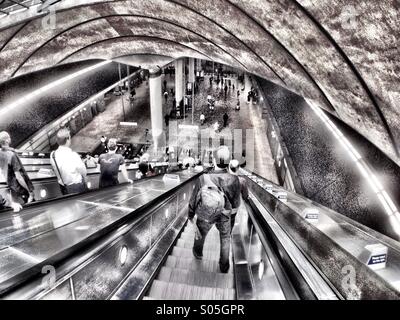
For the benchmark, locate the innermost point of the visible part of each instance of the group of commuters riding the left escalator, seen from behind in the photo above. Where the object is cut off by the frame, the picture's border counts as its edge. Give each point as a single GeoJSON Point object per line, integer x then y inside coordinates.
{"type": "Point", "coordinates": [68, 166]}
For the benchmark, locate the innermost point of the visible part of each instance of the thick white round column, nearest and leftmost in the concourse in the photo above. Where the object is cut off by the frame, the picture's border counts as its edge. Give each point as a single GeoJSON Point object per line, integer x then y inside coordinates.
{"type": "Point", "coordinates": [156, 108]}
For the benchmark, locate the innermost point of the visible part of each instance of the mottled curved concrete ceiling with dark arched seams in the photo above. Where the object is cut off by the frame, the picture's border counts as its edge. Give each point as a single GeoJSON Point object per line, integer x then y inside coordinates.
{"type": "Point", "coordinates": [342, 54]}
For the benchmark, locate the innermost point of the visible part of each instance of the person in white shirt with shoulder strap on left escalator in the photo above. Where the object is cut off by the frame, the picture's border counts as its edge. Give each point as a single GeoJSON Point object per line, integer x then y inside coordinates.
{"type": "Point", "coordinates": [68, 165]}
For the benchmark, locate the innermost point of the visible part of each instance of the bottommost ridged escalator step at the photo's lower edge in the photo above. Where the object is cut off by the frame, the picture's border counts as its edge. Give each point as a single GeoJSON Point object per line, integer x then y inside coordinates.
{"type": "Point", "coordinates": [172, 291]}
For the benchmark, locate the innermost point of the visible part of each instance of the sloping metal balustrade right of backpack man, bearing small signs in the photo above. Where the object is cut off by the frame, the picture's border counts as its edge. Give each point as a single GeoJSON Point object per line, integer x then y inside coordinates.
{"type": "Point", "coordinates": [340, 249]}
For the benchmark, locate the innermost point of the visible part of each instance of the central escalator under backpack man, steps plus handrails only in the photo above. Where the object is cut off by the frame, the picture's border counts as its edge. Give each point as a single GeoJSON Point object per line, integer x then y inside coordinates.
{"type": "Point", "coordinates": [256, 269]}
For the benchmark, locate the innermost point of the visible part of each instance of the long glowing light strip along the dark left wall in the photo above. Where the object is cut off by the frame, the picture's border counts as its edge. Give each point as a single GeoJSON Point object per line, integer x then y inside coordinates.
{"type": "Point", "coordinates": [34, 94]}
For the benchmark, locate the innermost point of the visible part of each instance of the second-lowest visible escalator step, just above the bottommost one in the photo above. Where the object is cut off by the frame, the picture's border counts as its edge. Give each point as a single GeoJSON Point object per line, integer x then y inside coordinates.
{"type": "Point", "coordinates": [198, 278]}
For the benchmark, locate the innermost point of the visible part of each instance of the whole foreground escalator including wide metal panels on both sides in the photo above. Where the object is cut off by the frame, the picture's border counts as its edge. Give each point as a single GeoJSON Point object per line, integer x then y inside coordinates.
{"type": "Point", "coordinates": [144, 251]}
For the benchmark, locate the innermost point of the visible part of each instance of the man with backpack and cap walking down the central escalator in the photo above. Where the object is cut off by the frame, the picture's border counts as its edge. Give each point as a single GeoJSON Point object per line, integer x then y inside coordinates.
{"type": "Point", "coordinates": [215, 198]}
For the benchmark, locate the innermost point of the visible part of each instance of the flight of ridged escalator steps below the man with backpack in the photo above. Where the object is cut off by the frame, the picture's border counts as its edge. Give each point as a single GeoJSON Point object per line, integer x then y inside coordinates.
{"type": "Point", "coordinates": [183, 277]}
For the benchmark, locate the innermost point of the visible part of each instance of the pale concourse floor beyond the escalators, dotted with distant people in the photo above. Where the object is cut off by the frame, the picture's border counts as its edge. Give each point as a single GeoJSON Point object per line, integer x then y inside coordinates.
{"type": "Point", "coordinates": [249, 116]}
